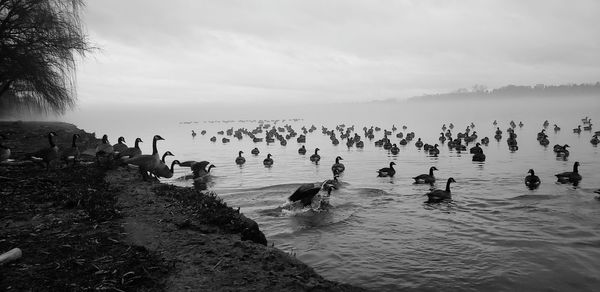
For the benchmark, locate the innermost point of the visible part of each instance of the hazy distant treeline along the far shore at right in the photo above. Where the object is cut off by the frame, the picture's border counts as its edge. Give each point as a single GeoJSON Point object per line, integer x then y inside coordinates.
{"type": "Point", "coordinates": [517, 91]}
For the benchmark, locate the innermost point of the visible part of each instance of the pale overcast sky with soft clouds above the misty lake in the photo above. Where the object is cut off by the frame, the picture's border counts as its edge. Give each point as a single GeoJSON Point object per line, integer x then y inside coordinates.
{"type": "Point", "coordinates": [310, 51]}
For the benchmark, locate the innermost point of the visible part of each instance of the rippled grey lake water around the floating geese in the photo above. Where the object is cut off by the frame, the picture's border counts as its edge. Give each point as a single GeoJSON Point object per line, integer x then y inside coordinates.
{"type": "Point", "coordinates": [378, 233]}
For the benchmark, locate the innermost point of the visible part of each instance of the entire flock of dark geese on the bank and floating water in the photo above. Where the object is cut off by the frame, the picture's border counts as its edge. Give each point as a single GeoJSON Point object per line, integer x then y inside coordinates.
{"type": "Point", "coordinates": [154, 165]}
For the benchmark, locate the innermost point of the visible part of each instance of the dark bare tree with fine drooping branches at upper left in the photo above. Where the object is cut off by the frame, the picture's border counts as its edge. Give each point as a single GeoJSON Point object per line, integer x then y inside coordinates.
{"type": "Point", "coordinates": [38, 43]}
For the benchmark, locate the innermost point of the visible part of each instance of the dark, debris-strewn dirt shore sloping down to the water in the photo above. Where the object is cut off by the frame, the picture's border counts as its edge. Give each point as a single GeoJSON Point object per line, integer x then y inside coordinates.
{"type": "Point", "coordinates": [85, 227]}
